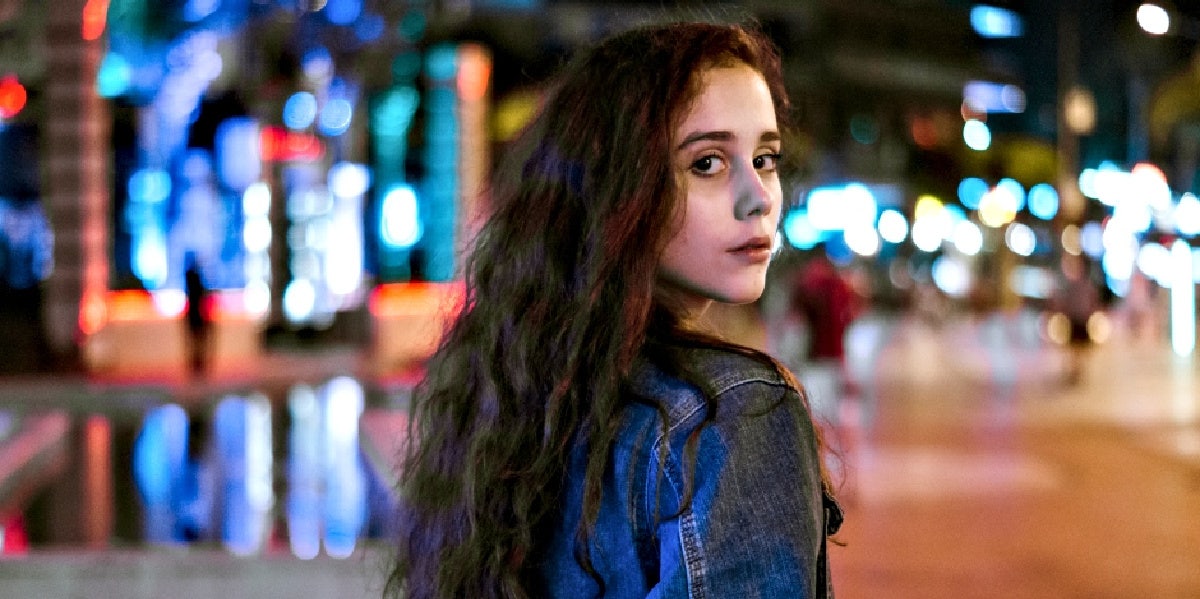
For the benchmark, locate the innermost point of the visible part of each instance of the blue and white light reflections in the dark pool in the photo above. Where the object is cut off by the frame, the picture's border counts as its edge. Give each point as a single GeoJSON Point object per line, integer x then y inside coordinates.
{"type": "Point", "coordinates": [221, 482]}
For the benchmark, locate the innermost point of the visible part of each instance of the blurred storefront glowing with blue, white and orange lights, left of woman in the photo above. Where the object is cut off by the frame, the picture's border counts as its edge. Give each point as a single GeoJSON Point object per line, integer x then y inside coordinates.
{"type": "Point", "coordinates": [304, 158]}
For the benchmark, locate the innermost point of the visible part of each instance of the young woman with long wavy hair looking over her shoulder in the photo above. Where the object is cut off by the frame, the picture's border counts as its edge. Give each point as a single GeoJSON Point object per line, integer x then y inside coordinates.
{"type": "Point", "coordinates": [579, 434]}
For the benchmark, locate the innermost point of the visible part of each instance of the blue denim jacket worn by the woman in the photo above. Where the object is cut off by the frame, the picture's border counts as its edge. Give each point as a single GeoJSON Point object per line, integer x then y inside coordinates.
{"type": "Point", "coordinates": [758, 519]}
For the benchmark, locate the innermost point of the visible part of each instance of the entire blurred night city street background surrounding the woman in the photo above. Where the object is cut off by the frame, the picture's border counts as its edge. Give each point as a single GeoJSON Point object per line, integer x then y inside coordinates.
{"type": "Point", "coordinates": [298, 183]}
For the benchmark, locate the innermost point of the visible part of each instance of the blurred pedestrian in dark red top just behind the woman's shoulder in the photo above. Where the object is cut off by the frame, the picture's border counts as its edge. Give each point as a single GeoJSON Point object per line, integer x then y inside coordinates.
{"type": "Point", "coordinates": [829, 304]}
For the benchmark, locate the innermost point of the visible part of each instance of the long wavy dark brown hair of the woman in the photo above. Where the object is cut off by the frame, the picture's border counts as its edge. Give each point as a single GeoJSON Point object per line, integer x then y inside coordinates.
{"type": "Point", "coordinates": [561, 299]}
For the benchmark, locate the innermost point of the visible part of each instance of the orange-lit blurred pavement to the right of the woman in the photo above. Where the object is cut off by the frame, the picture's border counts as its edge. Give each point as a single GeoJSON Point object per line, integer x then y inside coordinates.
{"type": "Point", "coordinates": [974, 470]}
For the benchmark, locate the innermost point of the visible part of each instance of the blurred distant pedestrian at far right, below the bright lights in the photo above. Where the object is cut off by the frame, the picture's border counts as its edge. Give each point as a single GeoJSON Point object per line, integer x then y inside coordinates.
{"type": "Point", "coordinates": [1079, 301]}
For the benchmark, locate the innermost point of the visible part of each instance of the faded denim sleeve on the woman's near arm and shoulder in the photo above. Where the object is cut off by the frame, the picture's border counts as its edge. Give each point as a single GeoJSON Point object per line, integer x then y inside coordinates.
{"type": "Point", "coordinates": [742, 511]}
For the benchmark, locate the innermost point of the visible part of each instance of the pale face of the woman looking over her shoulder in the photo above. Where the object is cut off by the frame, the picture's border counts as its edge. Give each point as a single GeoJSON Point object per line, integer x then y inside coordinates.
{"type": "Point", "coordinates": [727, 151]}
